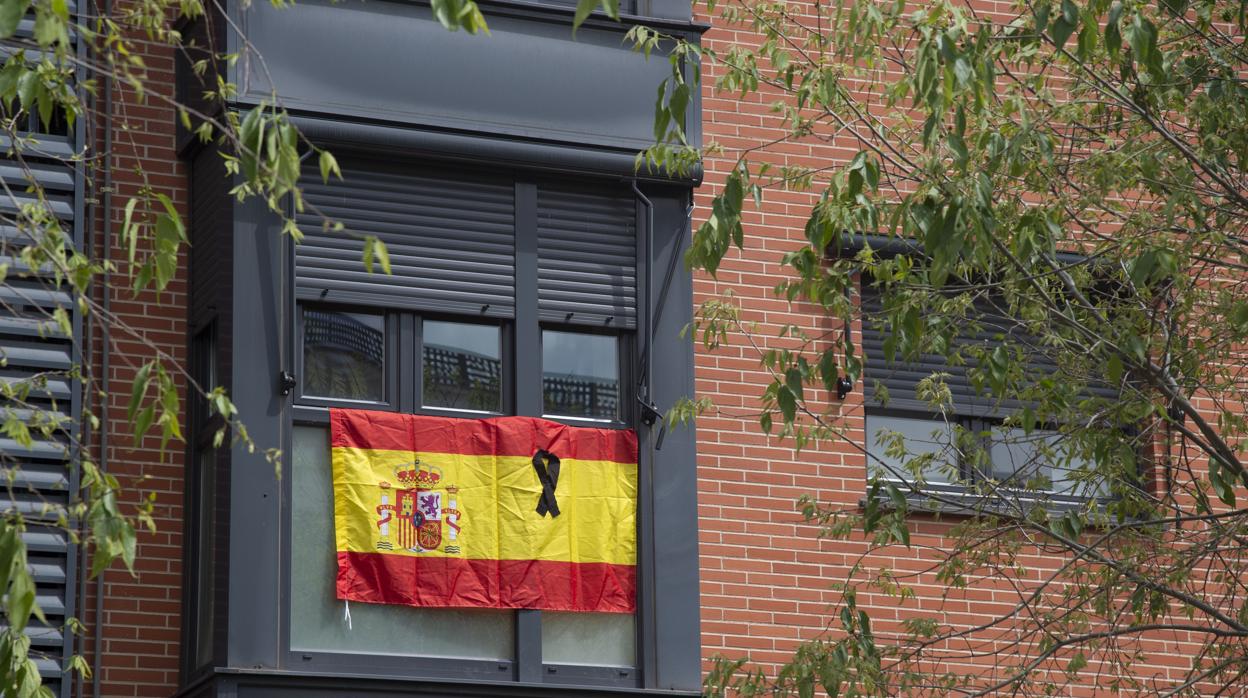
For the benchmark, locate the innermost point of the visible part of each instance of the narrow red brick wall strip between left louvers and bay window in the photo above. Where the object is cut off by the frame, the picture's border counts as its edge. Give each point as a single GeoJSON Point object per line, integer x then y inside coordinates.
{"type": "Point", "coordinates": [142, 620]}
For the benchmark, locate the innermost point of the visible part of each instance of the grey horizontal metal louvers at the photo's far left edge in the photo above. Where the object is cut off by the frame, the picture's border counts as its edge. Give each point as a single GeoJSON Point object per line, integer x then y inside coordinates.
{"type": "Point", "coordinates": [39, 355]}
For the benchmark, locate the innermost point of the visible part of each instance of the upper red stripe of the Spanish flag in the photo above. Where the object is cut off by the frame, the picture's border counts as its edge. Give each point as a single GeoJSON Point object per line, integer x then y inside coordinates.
{"type": "Point", "coordinates": [497, 436]}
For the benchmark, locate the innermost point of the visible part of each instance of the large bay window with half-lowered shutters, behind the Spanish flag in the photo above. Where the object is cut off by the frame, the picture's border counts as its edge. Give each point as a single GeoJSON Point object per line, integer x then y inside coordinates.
{"type": "Point", "coordinates": [471, 327]}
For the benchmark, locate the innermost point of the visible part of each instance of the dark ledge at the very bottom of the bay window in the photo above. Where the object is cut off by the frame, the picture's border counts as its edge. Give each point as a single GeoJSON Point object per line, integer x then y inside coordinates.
{"type": "Point", "coordinates": [251, 684]}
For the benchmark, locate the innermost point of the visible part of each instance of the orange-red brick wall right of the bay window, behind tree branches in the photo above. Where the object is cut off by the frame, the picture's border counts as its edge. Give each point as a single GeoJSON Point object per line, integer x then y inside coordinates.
{"type": "Point", "coordinates": [767, 578]}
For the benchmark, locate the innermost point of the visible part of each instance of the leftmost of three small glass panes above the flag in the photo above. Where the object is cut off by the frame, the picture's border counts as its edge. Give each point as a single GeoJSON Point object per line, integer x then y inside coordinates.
{"type": "Point", "coordinates": [344, 355]}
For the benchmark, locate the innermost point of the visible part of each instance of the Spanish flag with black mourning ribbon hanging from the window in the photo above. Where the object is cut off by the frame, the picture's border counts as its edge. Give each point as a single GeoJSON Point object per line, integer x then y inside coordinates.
{"type": "Point", "coordinates": [511, 513]}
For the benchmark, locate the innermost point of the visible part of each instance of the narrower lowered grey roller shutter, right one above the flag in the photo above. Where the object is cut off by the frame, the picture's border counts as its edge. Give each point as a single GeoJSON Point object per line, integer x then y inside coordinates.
{"type": "Point", "coordinates": [587, 257]}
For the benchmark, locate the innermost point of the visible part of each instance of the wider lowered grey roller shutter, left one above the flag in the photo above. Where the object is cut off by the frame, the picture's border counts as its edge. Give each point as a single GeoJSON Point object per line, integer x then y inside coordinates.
{"type": "Point", "coordinates": [450, 237]}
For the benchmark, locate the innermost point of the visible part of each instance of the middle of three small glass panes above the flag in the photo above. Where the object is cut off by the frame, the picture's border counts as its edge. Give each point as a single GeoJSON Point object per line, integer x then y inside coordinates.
{"type": "Point", "coordinates": [464, 366]}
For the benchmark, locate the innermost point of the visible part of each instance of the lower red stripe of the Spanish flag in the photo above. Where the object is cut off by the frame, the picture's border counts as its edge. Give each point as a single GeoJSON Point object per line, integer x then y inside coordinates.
{"type": "Point", "coordinates": [487, 584]}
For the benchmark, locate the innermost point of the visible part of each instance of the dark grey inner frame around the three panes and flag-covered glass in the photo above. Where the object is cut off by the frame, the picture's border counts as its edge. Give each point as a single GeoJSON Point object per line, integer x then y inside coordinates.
{"type": "Point", "coordinates": [521, 361]}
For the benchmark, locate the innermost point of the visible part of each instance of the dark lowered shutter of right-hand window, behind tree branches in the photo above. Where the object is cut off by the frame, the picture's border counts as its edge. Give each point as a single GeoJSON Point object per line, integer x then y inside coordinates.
{"type": "Point", "coordinates": [899, 379]}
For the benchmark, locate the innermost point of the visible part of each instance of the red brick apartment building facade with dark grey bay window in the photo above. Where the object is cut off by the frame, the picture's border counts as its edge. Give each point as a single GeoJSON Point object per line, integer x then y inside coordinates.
{"type": "Point", "coordinates": [536, 273]}
